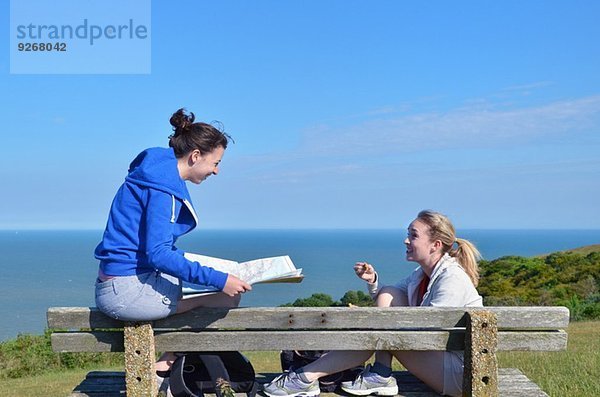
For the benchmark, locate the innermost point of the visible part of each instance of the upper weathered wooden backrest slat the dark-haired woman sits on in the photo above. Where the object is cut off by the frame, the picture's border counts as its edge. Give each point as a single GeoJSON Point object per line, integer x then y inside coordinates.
{"type": "Point", "coordinates": [319, 318]}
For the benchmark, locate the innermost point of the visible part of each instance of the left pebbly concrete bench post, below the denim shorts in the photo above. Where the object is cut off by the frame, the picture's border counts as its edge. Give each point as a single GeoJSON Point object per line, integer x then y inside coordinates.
{"type": "Point", "coordinates": [140, 376]}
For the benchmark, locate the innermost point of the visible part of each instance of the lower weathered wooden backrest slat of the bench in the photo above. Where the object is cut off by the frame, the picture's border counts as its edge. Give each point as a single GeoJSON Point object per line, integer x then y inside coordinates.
{"type": "Point", "coordinates": [308, 340]}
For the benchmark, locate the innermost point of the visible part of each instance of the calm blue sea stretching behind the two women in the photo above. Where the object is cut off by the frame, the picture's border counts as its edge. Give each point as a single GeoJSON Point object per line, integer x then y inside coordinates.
{"type": "Point", "coordinates": [44, 268]}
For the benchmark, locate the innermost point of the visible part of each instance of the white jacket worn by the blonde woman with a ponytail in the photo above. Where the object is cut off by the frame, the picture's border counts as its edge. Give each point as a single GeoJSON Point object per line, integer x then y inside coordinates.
{"type": "Point", "coordinates": [449, 286]}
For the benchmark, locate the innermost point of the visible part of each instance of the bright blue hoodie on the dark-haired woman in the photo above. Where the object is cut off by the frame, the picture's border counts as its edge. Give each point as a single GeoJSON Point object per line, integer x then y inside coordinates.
{"type": "Point", "coordinates": [149, 212]}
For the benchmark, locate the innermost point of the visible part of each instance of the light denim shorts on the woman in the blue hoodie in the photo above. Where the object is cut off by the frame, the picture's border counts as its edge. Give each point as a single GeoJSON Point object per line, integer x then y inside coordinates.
{"type": "Point", "coordinates": [141, 297]}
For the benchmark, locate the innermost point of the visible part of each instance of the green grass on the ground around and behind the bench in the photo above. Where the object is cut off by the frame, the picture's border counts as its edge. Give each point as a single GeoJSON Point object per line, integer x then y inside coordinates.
{"type": "Point", "coordinates": [575, 372]}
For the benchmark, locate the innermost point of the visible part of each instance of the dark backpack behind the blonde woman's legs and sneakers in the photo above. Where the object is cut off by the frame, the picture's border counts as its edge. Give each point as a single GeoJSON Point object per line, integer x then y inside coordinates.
{"type": "Point", "coordinates": [294, 359]}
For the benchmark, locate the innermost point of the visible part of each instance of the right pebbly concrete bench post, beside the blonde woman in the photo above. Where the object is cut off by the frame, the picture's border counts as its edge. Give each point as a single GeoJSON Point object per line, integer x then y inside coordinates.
{"type": "Point", "coordinates": [481, 366]}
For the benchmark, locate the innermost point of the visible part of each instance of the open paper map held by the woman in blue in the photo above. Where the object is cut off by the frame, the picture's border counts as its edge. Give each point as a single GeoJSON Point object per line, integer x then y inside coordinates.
{"type": "Point", "coordinates": [279, 269]}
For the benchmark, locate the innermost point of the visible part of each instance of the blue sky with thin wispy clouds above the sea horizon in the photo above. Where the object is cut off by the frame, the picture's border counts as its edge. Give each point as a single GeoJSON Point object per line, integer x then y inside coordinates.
{"type": "Point", "coordinates": [345, 114]}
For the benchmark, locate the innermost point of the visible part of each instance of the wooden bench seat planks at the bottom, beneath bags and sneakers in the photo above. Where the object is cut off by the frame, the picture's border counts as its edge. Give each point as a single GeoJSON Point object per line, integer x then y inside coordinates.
{"type": "Point", "coordinates": [512, 383]}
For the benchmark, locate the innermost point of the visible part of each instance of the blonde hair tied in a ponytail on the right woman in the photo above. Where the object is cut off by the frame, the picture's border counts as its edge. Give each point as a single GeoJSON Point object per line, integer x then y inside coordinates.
{"type": "Point", "coordinates": [440, 228]}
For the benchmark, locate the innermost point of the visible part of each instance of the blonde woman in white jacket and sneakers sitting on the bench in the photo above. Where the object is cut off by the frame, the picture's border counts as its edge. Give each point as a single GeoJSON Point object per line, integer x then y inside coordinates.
{"type": "Point", "coordinates": [447, 276]}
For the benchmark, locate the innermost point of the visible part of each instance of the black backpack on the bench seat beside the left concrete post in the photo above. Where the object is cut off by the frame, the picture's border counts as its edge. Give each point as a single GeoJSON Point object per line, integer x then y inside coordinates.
{"type": "Point", "coordinates": [194, 374]}
